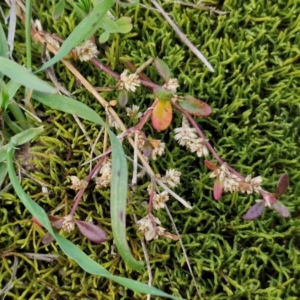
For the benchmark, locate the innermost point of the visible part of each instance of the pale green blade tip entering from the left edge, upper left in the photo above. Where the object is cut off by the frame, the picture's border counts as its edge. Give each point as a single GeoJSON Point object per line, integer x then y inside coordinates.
{"type": "Point", "coordinates": [22, 76]}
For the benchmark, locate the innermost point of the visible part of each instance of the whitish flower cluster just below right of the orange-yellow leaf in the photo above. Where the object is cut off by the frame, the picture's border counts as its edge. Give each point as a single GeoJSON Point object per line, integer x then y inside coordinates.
{"type": "Point", "coordinates": [186, 136]}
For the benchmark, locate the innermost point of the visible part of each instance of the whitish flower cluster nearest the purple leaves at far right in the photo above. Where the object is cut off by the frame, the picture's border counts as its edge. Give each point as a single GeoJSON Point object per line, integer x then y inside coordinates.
{"type": "Point", "coordinates": [232, 183]}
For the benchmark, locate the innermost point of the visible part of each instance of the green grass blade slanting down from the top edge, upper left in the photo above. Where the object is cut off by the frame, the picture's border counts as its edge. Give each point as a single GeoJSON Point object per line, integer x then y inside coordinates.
{"type": "Point", "coordinates": [83, 31]}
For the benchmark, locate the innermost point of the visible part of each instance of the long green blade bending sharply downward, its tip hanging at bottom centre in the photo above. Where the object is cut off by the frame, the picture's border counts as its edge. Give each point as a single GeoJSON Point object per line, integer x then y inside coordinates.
{"type": "Point", "coordinates": [119, 168]}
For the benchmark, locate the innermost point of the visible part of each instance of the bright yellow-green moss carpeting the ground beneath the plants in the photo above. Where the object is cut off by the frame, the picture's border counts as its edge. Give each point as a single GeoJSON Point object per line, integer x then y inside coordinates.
{"type": "Point", "coordinates": [254, 127]}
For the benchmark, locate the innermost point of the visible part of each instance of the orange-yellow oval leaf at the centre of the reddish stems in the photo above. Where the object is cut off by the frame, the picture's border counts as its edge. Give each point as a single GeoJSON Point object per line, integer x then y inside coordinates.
{"type": "Point", "coordinates": [162, 115]}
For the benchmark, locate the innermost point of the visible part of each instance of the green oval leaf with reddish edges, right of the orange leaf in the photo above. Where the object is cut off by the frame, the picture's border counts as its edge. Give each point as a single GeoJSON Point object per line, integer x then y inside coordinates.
{"type": "Point", "coordinates": [195, 106]}
